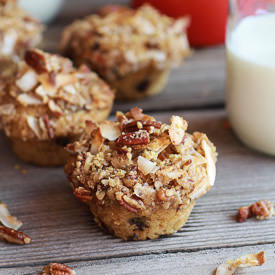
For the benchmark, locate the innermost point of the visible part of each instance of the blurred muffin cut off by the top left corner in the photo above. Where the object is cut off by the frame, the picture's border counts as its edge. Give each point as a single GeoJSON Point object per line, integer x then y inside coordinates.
{"type": "Point", "coordinates": [19, 32]}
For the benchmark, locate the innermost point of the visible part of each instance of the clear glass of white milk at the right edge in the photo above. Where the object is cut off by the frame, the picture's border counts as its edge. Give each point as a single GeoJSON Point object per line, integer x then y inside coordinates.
{"type": "Point", "coordinates": [250, 51]}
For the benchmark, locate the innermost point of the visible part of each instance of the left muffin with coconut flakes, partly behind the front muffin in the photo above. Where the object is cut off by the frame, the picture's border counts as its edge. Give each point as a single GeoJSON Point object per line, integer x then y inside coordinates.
{"type": "Point", "coordinates": [46, 105]}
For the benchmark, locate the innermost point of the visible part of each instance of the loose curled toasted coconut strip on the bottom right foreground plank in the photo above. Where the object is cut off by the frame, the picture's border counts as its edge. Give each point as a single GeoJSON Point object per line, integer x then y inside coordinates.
{"type": "Point", "coordinates": [230, 266]}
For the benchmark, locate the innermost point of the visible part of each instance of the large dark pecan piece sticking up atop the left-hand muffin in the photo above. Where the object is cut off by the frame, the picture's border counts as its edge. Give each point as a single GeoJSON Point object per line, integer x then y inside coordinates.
{"type": "Point", "coordinates": [36, 60]}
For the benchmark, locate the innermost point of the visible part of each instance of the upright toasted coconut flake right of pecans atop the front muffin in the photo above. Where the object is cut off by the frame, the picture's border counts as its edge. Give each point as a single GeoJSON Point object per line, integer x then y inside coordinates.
{"type": "Point", "coordinates": [177, 129]}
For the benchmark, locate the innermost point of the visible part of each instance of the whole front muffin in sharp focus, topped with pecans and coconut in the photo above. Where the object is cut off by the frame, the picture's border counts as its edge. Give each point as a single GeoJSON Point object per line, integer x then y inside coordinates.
{"type": "Point", "coordinates": [140, 177]}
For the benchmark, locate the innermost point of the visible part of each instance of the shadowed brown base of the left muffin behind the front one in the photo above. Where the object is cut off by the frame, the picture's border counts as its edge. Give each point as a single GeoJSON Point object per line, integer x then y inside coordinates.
{"type": "Point", "coordinates": [42, 153]}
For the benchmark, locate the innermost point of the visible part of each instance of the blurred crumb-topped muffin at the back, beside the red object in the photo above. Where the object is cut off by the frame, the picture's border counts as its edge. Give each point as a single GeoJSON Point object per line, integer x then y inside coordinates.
{"type": "Point", "coordinates": [133, 50]}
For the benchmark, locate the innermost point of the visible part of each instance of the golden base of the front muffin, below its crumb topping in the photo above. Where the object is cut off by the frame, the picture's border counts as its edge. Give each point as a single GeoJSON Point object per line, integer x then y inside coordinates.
{"type": "Point", "coordinates": [127, 225]}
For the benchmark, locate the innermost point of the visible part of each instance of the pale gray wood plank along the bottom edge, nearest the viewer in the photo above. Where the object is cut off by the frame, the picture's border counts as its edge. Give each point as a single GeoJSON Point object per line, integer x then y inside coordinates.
{"type": "Point", "coordinates": [196, 263]}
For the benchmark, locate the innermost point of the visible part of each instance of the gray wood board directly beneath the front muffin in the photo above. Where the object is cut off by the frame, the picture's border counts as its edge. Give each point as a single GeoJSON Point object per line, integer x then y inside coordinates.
{"type": "Point", "coordinates": [62, 228]}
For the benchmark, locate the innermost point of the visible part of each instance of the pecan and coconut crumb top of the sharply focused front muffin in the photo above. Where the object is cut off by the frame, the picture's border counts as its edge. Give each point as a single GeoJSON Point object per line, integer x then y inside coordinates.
{"type": "Point", "coordinates": [141, 163]}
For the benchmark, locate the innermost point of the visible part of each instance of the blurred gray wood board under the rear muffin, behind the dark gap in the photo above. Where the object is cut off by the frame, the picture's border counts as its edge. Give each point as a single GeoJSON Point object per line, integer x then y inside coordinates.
{"type": "Point", "coordinates": [198, 83]}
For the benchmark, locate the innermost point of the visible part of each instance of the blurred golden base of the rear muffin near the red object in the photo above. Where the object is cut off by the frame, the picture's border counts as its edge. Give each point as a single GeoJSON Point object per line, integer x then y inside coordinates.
{"type": "Point", "coordinates": [145, 82]}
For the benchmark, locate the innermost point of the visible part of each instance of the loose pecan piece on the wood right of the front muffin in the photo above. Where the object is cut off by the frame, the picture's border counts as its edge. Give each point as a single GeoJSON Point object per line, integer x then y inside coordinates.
{"type": "Point", "coordinates": [261, 210]}
